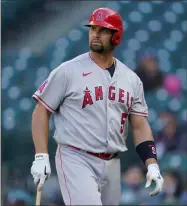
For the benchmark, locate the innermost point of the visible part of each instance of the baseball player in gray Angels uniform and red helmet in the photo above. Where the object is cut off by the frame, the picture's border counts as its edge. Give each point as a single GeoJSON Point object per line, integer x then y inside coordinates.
{"type": "Point", "coordinates": [93, 98]}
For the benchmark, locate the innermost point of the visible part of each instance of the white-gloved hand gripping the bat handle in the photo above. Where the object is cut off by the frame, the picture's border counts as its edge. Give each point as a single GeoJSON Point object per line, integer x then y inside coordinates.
{"type": "Point", "coordinates": [40, 169]}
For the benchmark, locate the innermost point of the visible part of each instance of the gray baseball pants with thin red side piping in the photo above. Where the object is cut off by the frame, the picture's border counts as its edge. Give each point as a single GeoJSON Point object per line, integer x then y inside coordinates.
{"type": "Point", "coordinates": [87, 180]}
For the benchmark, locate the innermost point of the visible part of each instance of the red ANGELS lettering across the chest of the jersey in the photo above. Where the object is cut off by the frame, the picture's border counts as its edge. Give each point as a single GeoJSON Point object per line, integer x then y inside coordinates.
{"type": "Point", "coordinates": [120, 96]}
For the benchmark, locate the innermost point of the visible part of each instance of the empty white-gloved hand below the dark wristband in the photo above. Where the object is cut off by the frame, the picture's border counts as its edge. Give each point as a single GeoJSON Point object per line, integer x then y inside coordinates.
{"type": "Point", "coordinates": [153, 174]}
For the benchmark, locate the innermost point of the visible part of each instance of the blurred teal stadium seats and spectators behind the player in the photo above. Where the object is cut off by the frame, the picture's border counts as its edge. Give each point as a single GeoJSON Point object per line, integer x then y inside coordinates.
{"type": "Point", "coordinates": [37, 36]}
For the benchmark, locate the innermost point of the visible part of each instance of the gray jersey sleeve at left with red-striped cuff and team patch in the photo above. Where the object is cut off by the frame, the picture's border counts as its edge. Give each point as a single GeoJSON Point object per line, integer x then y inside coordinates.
{"type": "Point", "coordinates": [53, 90]}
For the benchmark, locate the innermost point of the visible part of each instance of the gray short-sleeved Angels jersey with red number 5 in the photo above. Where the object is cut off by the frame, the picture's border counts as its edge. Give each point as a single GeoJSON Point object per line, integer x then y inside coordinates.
{"type": "Point", "coordinates": [90, 107]}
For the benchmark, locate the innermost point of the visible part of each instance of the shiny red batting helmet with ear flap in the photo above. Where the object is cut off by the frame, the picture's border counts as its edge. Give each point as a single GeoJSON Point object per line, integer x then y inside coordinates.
{"type": "Point", "coordinates": [110, 19]}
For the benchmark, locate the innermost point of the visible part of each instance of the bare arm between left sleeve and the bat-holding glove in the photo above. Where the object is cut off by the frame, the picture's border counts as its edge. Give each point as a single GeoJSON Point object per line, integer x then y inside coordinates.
{"type": "Point", "coordinates": [40, 129]}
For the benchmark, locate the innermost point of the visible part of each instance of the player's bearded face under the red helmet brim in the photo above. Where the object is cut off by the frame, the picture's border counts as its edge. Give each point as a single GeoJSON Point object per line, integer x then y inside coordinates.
{"type": "Point", "coordinates": [100, 39]}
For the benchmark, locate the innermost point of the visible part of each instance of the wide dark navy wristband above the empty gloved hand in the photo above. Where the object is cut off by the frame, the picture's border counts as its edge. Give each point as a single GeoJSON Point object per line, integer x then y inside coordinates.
{"type": "Point", "coordinates": [146, 150]}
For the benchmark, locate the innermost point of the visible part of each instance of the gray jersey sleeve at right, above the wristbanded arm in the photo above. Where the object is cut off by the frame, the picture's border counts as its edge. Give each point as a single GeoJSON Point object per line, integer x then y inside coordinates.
{"type": "Point", "coordinates": [139, 106]}
